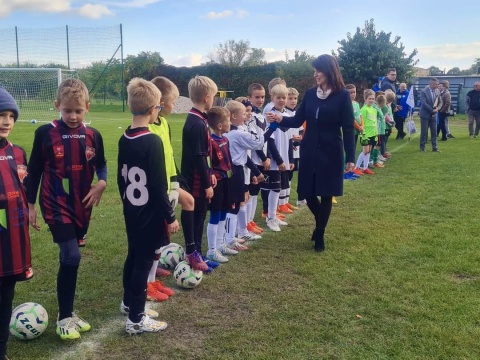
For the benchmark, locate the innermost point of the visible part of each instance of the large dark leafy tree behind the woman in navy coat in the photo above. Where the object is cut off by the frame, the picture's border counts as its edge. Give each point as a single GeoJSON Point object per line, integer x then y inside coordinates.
{"type": "Point", "coordinates": [367, 54]}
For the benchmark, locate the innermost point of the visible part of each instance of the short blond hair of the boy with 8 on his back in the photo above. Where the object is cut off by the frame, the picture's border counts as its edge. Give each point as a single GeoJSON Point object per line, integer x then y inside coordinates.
{"type": "Point", "coordinates": [142, 95]}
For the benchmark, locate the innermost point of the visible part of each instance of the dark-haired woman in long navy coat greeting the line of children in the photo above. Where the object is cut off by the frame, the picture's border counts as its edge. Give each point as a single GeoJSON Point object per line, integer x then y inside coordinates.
{"type": "Point", "coordinates": [329, 134]}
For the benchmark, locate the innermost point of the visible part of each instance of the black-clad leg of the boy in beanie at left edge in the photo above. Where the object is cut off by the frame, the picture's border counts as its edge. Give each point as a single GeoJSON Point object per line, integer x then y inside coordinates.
{"type": "Point", "coordinates": [7, 290]}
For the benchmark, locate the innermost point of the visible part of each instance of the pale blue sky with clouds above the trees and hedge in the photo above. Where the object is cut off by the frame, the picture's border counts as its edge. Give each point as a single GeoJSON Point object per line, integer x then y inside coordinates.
{"type": "Point", "coordinates": [185, 32]}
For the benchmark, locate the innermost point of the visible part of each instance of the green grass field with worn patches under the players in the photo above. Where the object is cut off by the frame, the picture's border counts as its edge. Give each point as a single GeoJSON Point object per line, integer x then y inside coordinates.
{"type": "Point", "coordinates": [399, 278]}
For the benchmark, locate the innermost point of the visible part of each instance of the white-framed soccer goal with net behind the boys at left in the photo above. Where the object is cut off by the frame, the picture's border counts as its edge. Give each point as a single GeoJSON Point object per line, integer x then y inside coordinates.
{"type": "Point", "coordinates": [35, 90]}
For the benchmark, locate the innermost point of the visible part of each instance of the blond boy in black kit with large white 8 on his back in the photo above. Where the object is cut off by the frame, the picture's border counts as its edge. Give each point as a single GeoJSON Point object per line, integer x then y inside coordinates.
{"type": "Point", "coordinates": [142, 183]}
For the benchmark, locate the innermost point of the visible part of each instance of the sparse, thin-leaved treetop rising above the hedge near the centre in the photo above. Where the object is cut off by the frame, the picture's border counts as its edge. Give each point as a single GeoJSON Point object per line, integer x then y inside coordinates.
{"type": "Point", "coordinates": [237, 53]}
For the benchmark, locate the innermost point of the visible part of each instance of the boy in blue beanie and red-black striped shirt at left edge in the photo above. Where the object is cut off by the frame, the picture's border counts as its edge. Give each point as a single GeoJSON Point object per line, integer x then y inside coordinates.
{"type": "Point", "coordinates": [15, 258]}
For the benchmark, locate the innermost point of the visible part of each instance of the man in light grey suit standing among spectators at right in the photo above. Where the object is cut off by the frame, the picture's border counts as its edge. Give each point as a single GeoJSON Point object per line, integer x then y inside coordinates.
{"type": "Point", "coordinates": [431, 102]}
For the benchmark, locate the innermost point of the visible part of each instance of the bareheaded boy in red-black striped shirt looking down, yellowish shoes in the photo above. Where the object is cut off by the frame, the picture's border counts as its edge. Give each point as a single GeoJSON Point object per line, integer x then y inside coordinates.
{"type": "Point", "coordinates": [65, 156]}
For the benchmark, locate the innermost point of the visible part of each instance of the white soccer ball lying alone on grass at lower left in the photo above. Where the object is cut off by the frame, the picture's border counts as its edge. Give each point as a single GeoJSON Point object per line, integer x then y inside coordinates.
{"type": "Point", "coordinates": [29, 320]}
